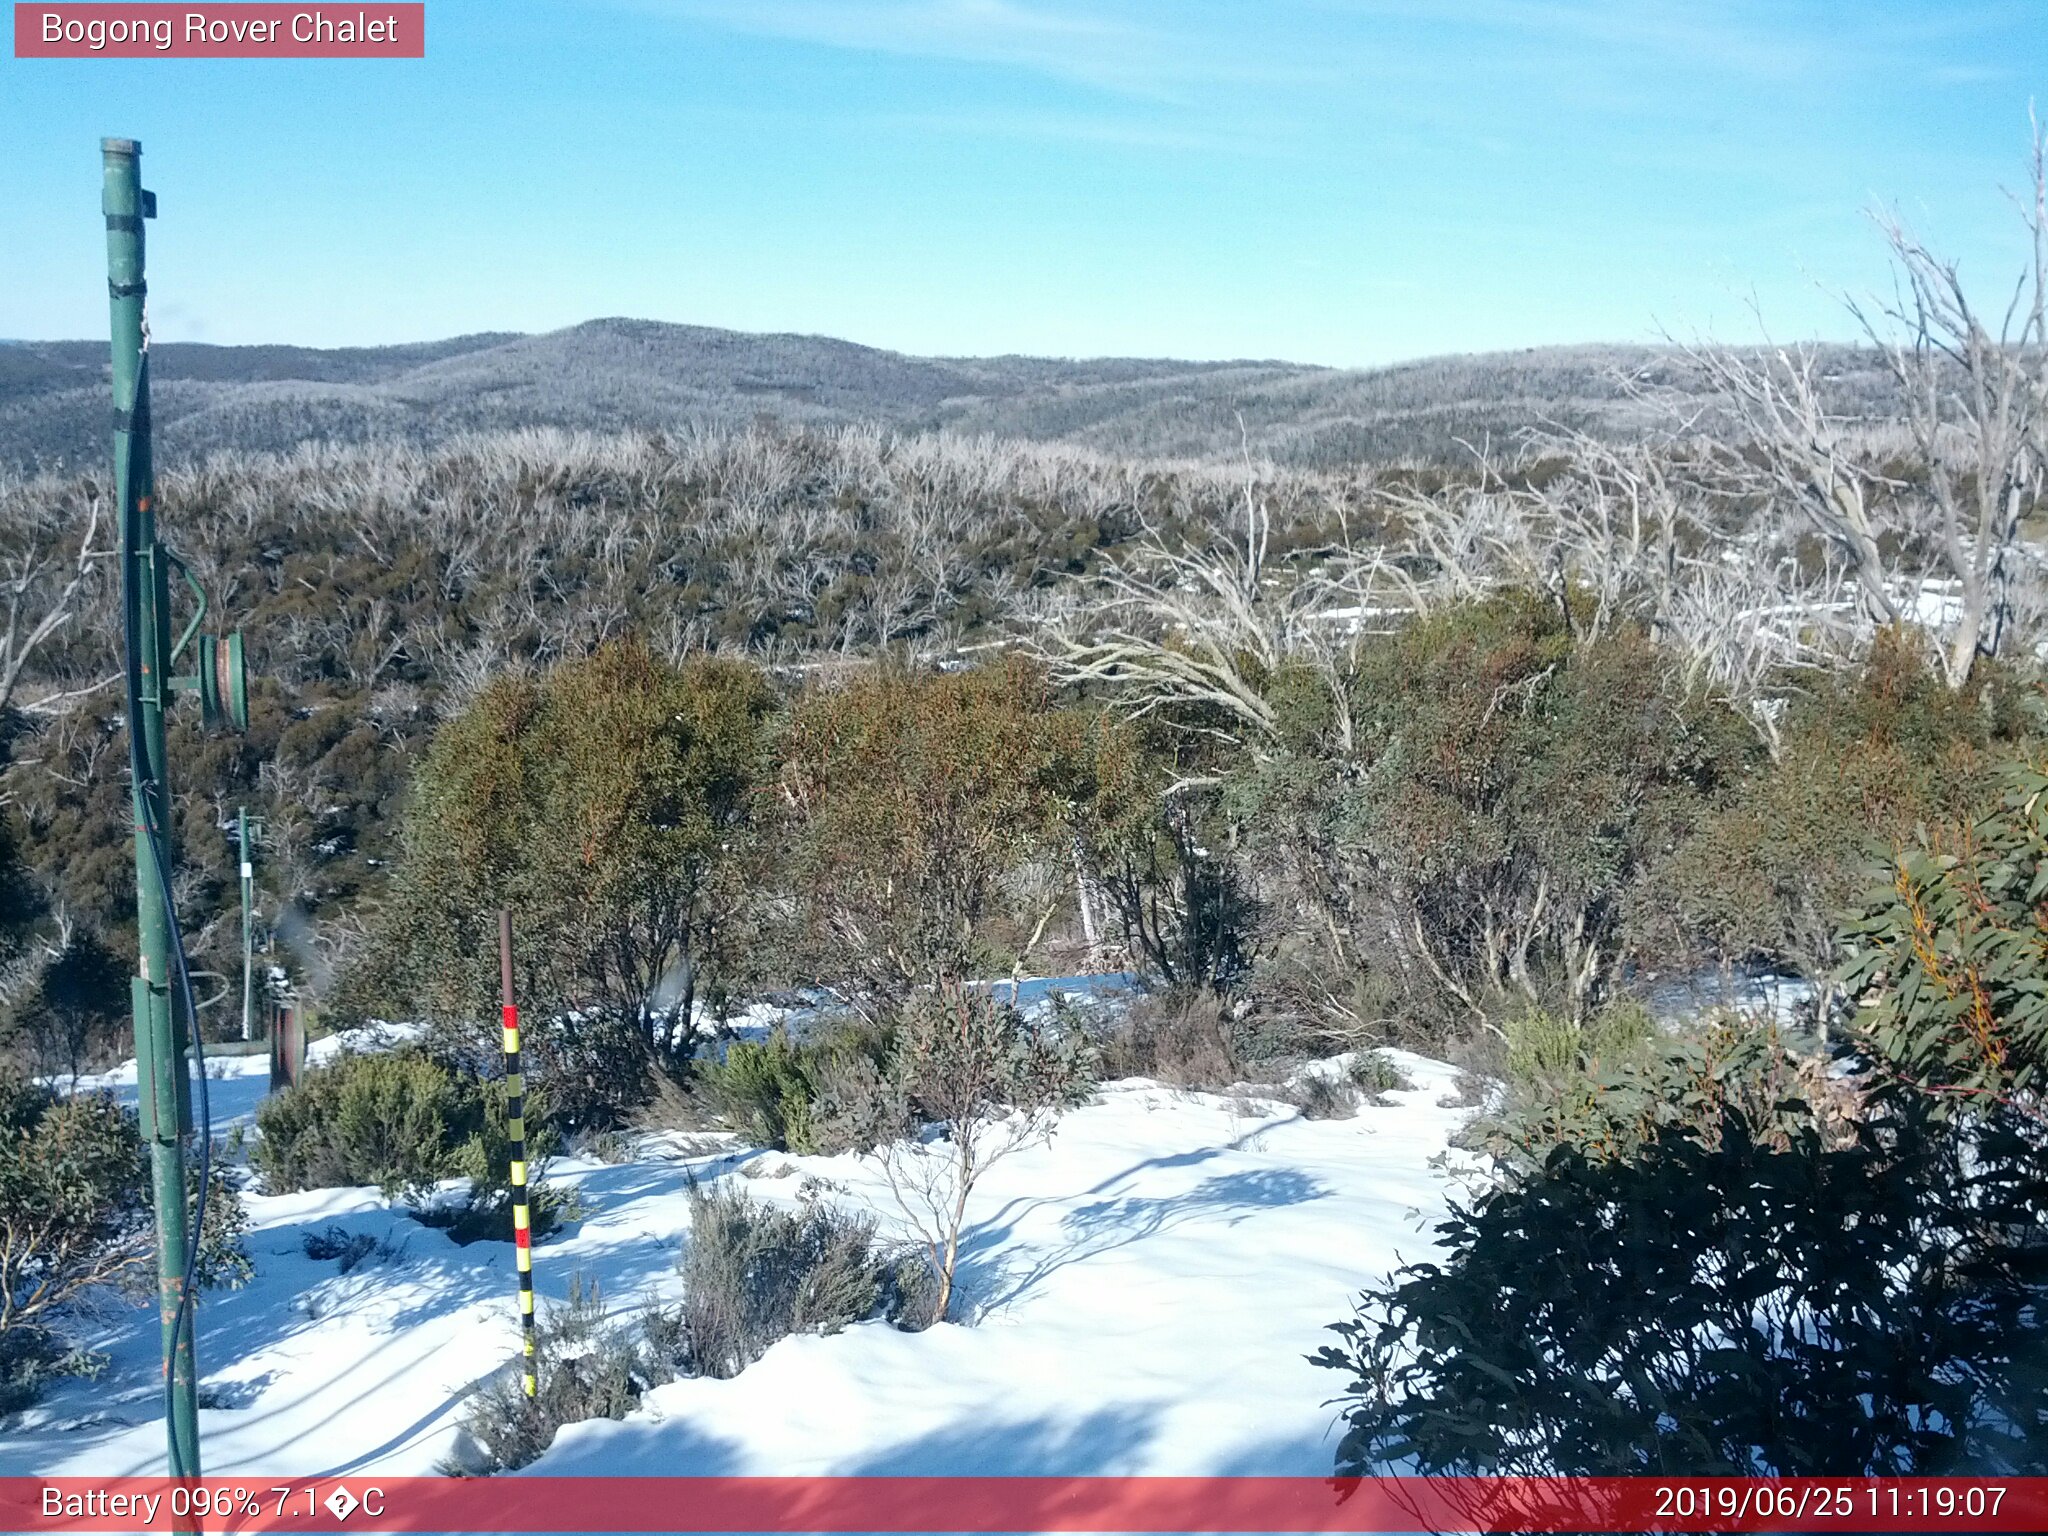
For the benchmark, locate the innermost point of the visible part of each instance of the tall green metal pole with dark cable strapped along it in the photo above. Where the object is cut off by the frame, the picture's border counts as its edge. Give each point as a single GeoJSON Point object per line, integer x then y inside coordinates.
{"type": "Point", "coordinates": [146, 609]}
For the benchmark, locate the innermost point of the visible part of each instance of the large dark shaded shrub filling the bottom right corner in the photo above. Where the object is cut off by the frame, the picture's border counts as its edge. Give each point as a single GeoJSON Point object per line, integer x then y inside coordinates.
{"type": "Point", "coordinates": [1721, 1258]}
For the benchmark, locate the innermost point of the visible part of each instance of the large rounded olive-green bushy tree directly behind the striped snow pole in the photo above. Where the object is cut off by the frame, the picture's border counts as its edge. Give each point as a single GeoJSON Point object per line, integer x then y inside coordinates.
{"type": "Point", "coordinates": [607, 804]}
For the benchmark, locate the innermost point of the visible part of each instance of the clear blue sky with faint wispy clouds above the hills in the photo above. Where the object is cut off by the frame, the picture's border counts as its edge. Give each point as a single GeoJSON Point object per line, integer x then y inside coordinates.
{"type": "Point", "coordinates": [1328, 181]}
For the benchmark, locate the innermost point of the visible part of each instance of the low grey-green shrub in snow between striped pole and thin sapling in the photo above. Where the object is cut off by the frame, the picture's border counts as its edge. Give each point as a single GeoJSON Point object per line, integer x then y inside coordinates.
{"type": "Point", "coordinates": [755, 1273]}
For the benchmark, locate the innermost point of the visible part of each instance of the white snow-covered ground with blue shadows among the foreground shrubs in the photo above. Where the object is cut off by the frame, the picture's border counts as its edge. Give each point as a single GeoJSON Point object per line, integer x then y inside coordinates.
{"type": "Point", "coordinates": [1146, 1289]}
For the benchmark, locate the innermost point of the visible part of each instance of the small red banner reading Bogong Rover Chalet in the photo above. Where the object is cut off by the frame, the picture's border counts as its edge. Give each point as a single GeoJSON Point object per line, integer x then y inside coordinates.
{"type": "Point", "coordinates": [222, 32]}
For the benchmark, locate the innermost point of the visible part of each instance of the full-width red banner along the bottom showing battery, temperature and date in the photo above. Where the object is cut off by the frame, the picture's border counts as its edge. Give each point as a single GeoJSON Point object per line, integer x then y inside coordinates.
{"type": "Point", "coordinates": [1025, 1504]}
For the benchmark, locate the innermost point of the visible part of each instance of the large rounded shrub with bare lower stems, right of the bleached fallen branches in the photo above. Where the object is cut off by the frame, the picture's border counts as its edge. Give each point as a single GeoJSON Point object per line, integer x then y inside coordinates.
{"type": "Point", "coordinates": [1510, 792]}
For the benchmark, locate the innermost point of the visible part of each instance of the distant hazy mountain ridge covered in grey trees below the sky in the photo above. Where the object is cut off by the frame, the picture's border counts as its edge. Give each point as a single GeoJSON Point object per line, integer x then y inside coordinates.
{"type": "Point", "coordinates": [640, 374]}
